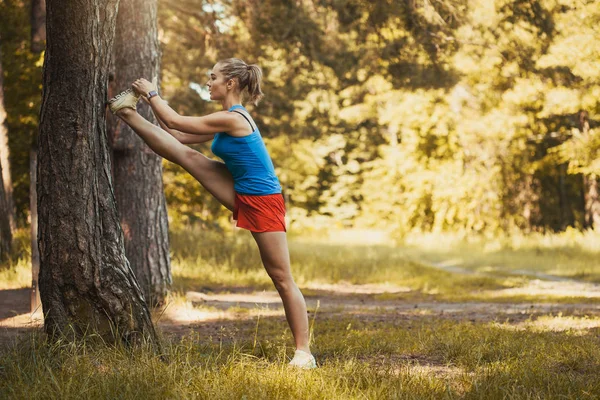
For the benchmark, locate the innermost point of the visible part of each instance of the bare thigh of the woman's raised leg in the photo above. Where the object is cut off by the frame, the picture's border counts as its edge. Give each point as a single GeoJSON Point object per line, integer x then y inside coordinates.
{"type": "Point", "coordinates": [211, 174]}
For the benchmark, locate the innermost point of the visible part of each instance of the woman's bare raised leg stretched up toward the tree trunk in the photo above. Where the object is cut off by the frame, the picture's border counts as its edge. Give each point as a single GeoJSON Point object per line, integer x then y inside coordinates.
{"type": "Point", "coordinates": [213, 175]}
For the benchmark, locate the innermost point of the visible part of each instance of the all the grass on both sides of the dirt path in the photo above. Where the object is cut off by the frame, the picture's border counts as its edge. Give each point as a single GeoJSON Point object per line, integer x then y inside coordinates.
{"type": "Point", "coordinates": [363, 352]}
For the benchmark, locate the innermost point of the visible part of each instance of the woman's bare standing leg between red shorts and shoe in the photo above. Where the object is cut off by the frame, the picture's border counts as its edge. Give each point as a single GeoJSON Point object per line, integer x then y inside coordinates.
{"type": "Point", "coordinates": [276, 259]}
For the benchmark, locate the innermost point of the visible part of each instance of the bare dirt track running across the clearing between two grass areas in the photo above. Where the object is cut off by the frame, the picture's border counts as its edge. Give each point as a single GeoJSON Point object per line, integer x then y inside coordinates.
{"type": "Point", "coordinates": [232, 313]}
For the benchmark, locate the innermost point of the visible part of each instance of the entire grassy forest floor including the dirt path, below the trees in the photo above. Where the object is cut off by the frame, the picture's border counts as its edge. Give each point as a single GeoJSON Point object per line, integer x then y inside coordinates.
{"type": "Point", "coordinates": [386, 322]}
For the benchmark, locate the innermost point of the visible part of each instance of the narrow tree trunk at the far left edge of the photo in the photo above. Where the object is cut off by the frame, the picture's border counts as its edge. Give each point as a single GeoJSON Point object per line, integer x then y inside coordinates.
{"type": "Point", "coordinates": [10, 212]}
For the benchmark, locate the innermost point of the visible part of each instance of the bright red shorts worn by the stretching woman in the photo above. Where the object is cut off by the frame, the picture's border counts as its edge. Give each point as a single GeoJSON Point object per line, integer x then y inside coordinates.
{"type": "Point", "coordinates": [260, 213]}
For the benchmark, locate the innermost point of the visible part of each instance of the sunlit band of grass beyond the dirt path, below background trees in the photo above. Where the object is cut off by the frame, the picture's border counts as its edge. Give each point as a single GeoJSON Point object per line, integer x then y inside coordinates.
{"type": "Point", "coordinates": [208, 261]}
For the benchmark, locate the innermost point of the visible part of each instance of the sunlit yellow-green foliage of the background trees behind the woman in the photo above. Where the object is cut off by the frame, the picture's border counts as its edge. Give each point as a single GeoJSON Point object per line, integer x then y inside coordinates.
{"type": "Point", "coordinates": [418, 116]}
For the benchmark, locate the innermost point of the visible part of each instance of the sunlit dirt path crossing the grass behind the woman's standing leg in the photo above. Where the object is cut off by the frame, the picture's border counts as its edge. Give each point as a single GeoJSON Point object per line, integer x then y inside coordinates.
{"type": "Point", "coordinates": [212, 314]}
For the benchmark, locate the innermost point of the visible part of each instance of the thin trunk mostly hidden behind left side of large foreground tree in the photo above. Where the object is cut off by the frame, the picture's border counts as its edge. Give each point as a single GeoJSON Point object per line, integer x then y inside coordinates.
{"type": "Point", "coordinates": [38, 44]}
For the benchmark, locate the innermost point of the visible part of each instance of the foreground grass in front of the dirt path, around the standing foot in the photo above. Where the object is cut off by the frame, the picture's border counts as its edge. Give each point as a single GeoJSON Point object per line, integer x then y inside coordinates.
{"type": "Point", "coordinates": [419, 359]}
